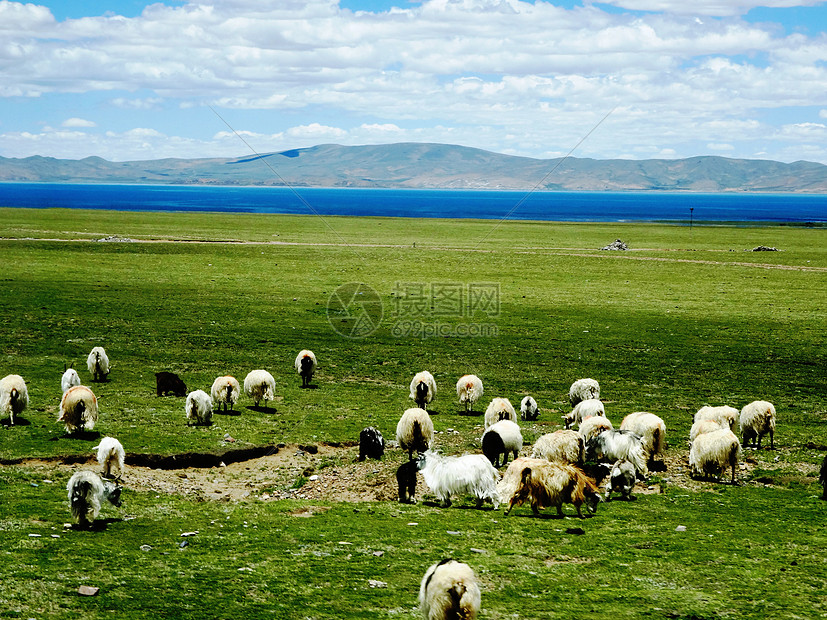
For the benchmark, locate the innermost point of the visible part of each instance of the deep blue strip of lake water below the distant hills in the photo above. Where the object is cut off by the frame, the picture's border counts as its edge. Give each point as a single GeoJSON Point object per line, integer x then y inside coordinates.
{"type": "Point", "coordinates": [514, 205]}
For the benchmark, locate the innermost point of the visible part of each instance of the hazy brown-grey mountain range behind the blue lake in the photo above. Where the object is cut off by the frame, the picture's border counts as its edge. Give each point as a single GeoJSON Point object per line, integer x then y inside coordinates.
{"type": "Point", "coordinates": [438, 166]}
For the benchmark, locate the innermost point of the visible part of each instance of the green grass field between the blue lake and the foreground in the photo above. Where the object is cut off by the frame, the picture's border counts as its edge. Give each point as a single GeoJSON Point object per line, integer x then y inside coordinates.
{"type": "Point", "coordinates": [687, 317]}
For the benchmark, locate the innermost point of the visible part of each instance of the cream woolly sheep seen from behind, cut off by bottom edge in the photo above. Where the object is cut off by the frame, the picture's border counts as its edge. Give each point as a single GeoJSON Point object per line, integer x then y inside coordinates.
{"type": "Point", "coordinates": [449, 591]}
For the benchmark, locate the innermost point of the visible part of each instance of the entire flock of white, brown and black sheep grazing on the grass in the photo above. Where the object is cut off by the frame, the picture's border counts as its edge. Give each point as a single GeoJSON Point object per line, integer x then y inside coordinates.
{"type": "Point", "coordinates": [564, 467]}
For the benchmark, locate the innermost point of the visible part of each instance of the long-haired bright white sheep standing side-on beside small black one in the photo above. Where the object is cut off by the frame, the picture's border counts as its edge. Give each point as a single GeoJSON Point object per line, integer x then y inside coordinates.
{"type": "Point", "coordinates": [470, 474]}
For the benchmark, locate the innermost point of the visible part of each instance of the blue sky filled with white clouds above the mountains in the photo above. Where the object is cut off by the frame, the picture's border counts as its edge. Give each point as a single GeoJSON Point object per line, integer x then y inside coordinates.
{"type": "Point", "coordinates": [632, 79]}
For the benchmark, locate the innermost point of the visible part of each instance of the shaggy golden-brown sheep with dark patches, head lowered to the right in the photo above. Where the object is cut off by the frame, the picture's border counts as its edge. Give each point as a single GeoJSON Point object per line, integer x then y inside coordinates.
{"type": "Point", "coordinates": [548, 484]}
